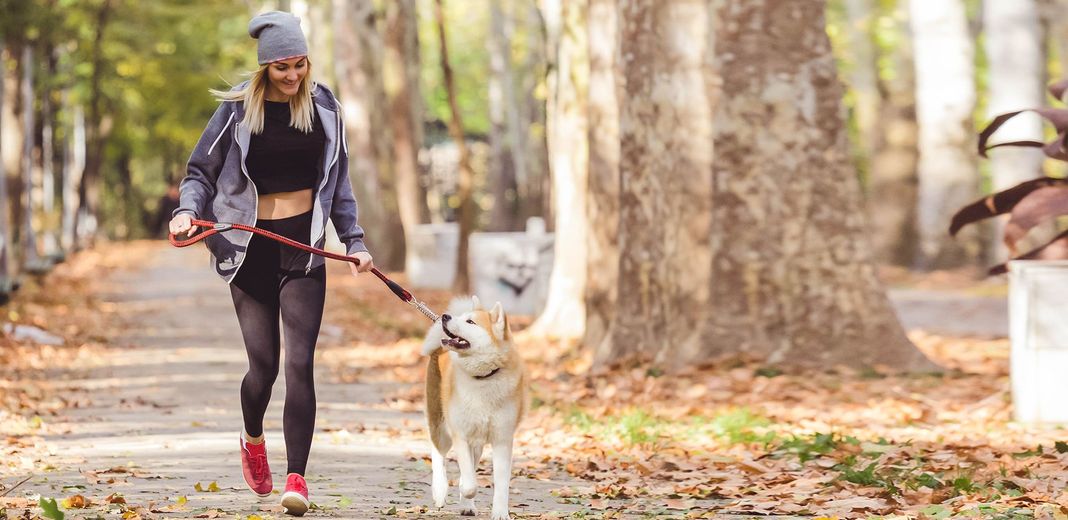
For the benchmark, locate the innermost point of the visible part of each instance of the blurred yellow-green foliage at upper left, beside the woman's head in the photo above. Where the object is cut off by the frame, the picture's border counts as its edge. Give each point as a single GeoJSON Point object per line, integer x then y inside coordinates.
{"type": "Point", "coordinates": [154, 64]}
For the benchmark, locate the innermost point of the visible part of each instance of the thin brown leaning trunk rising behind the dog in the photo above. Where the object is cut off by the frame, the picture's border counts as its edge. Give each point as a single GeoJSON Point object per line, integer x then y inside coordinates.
{"type": "Point", "coordinates": [462, 283]}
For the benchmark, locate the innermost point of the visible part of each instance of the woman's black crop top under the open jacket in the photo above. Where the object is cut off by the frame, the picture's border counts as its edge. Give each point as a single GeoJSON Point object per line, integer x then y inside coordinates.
{"type": "Point", "coordinates": [284, 159]}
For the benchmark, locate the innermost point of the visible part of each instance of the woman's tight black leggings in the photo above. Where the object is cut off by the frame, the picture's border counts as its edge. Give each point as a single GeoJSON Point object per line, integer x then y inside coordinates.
{"type": "Point", "coordinates": [272, 281]}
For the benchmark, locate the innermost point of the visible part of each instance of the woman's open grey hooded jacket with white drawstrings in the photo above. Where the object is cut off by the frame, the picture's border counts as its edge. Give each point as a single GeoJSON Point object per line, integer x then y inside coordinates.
{"type": "Point", "coordinates": [217, 186]}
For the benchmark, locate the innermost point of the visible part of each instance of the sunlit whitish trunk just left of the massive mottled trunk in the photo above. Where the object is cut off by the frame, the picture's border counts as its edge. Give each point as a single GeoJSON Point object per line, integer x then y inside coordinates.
{"type": "Point", "coordinates": [564, 313]}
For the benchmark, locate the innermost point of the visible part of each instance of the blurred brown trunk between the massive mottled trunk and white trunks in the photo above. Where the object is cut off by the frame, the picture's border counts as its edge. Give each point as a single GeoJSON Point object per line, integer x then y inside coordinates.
{"type": "Point", "coordinates": [892, 188]}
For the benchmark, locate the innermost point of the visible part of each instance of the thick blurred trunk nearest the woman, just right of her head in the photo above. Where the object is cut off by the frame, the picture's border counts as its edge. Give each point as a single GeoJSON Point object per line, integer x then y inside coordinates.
{"type": "Point", "coordinates": [358, 71]}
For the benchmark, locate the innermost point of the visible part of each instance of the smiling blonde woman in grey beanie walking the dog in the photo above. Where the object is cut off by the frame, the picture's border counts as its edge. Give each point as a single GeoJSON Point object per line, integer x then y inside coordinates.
{"type": "Point", "coordinates": [275, 155]}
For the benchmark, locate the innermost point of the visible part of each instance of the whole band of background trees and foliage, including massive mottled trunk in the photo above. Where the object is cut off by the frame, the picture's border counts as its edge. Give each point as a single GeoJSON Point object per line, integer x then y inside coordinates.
{"type": "Point", "coordinates": [708, 198]}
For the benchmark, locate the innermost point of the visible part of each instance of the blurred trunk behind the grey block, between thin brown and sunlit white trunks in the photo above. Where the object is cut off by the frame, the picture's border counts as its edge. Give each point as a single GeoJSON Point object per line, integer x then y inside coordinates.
{"type": "Point", "coordinates": [507, 162]}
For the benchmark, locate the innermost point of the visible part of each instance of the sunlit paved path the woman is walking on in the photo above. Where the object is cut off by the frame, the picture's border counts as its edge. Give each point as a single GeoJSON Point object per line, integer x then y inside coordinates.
{"type": "Point", "coordinates": [165, 408]}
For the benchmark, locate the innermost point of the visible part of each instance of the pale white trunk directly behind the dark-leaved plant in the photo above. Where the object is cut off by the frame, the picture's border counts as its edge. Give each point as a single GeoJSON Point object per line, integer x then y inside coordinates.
{"type": "Point", "coordinates": [1017, 72]}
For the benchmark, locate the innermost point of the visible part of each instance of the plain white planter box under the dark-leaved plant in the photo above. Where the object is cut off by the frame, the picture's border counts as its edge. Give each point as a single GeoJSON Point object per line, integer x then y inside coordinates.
{"type": "Point", "coordinates": [1039, 330]}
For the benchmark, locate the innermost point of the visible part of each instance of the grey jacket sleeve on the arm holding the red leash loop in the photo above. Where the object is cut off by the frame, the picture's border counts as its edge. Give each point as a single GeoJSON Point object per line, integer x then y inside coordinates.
{"type": "Point", "coordinates": [206, 163]}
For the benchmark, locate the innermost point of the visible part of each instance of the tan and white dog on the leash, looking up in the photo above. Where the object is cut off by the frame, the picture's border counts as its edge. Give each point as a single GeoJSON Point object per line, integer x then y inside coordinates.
{"type": "Point", "coordinates": [476, 396]}
